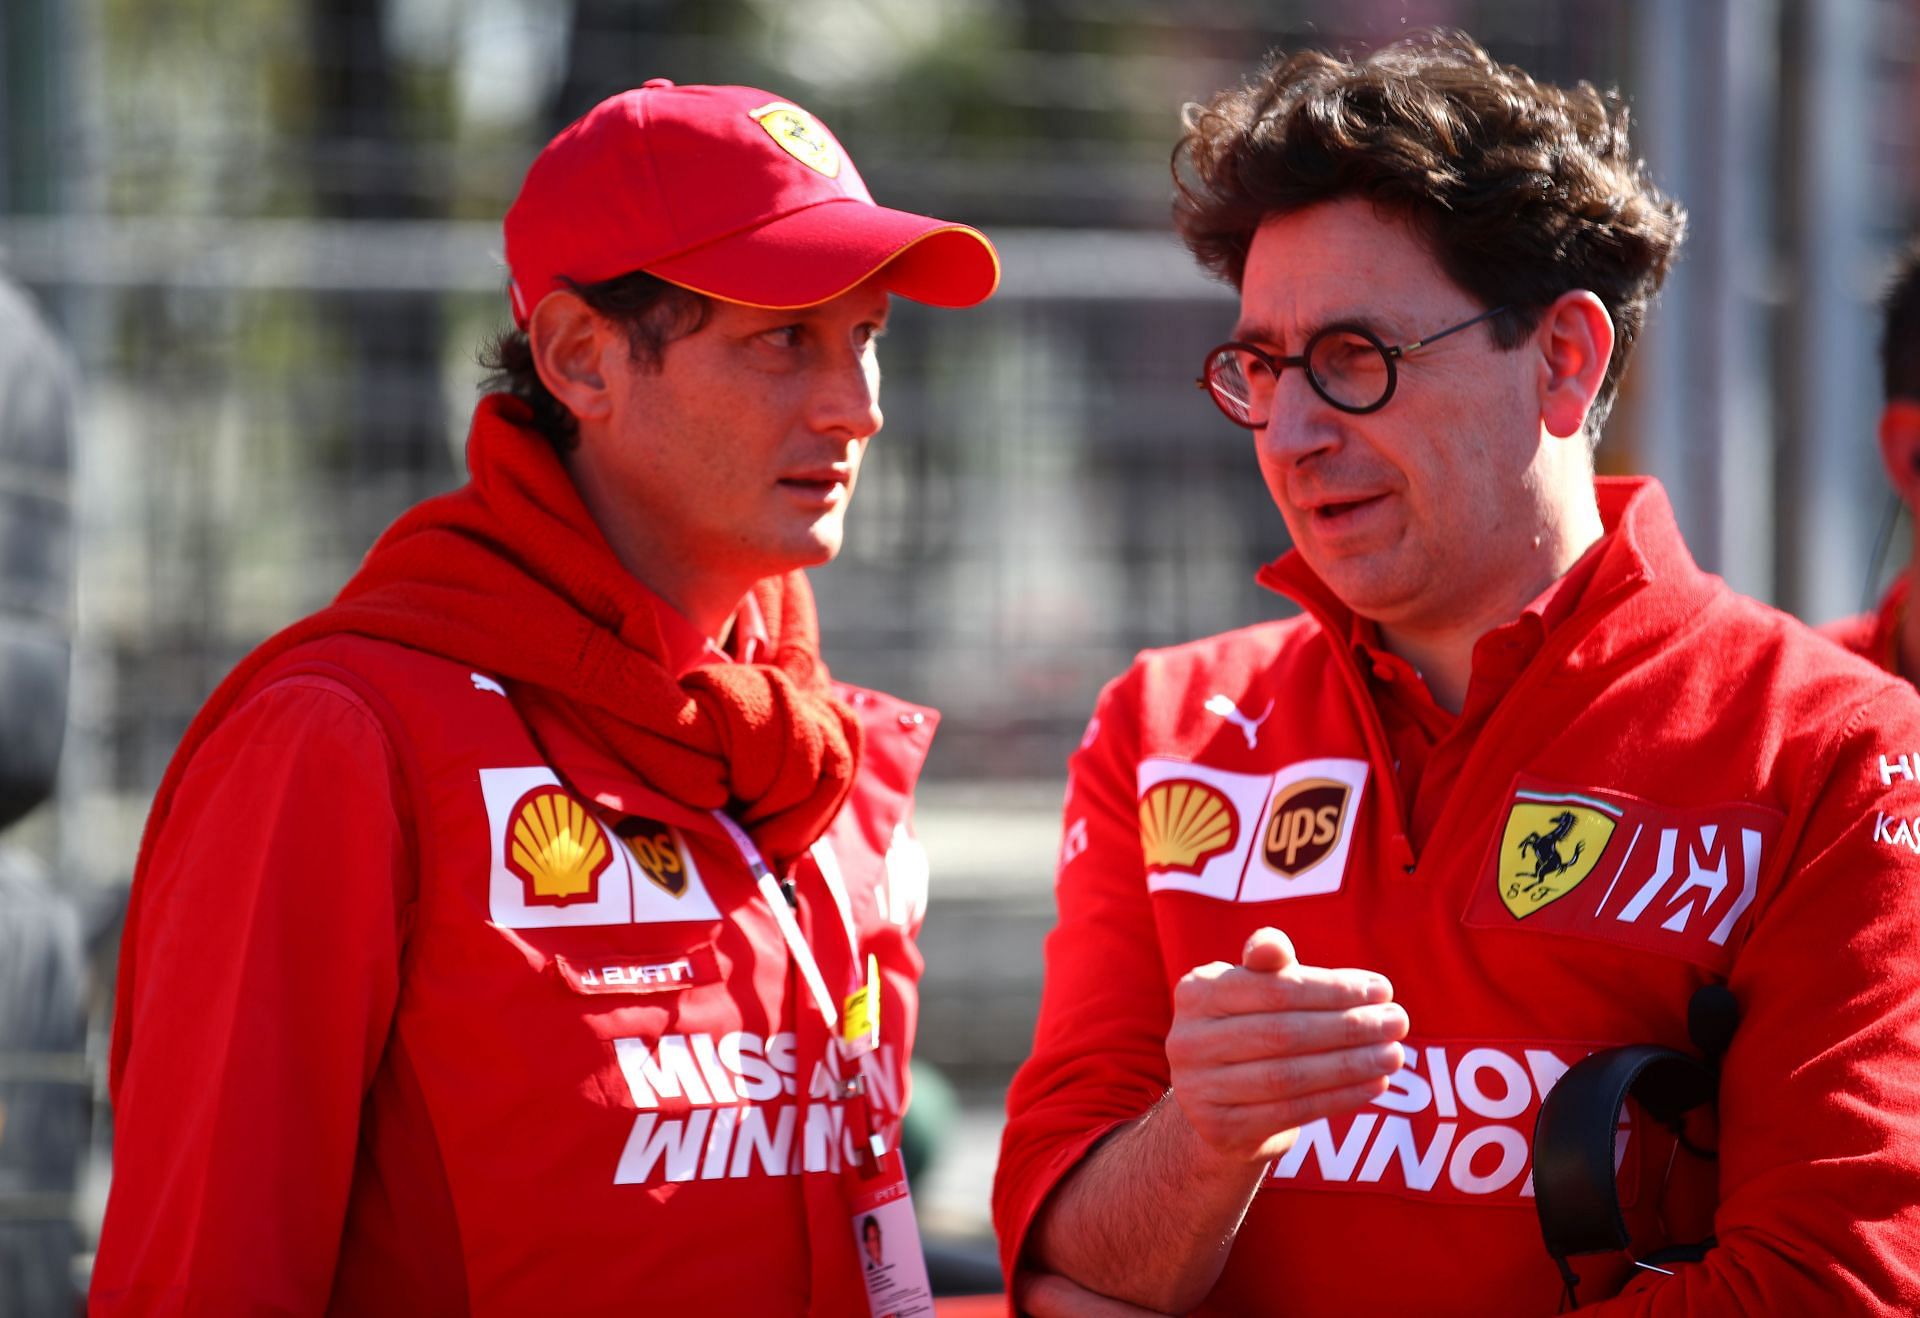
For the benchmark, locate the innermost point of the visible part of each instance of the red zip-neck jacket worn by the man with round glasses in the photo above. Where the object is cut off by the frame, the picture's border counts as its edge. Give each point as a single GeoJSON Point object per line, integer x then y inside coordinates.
{"type": "Point", "coordinates": [1681, 789]}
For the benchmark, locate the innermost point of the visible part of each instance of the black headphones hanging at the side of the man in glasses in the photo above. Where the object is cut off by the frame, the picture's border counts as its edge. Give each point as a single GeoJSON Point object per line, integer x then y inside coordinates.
{"type": "Point", "coordinates": [1575, 1192]}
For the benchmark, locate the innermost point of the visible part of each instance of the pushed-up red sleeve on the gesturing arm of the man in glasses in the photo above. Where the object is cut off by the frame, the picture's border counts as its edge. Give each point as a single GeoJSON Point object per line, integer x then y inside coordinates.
{"type": "Point", "coordinates": [1099, 1050]}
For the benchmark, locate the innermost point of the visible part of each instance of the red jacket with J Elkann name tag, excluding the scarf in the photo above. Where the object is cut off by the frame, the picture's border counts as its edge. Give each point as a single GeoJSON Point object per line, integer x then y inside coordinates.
{"type": "Point", "coordinates": [387, 1060]}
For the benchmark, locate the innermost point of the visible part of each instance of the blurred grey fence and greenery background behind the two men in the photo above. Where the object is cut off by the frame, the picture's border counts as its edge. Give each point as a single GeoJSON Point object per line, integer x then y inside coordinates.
{"type": "Point", "coordinates": [264, 243]}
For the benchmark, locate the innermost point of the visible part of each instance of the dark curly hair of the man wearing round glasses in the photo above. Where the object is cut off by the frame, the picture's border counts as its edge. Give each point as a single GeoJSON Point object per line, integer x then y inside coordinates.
{"type": "Point", "coordinates": [1524, 191]}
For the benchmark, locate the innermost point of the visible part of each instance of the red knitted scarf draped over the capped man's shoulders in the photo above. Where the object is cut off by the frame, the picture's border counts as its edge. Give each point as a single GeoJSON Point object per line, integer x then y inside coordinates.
{"type": "Point", "coordinates": [512, 575]}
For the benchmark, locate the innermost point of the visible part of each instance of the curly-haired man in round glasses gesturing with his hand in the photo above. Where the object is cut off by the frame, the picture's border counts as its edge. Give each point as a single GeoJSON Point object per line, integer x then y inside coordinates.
{"type": "Point", "coordinates": [1520, 766]}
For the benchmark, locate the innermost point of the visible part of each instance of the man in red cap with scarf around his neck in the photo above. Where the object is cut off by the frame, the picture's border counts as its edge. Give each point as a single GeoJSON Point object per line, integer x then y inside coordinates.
{"type": "Point", "coordinates": [531, 931]}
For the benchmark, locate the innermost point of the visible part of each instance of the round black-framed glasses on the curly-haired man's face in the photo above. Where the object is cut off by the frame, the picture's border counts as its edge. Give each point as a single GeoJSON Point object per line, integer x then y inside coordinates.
{"type": "Point", "coordinates": [1347, 364]}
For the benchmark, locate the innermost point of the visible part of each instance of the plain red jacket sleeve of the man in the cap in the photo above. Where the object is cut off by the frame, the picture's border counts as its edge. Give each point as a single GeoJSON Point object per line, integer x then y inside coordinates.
{"type": "Point", "coordinates": [270, 967]}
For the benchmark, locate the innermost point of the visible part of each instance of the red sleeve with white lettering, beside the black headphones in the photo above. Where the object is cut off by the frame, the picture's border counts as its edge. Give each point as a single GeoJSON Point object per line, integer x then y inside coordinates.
{"type": "Point", "coordinates": [1821, 1088]}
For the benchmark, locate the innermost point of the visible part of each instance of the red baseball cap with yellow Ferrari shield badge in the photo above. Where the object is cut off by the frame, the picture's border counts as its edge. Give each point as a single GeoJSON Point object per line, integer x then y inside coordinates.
{"type": "Point", "coordinates": [732, 193]}
